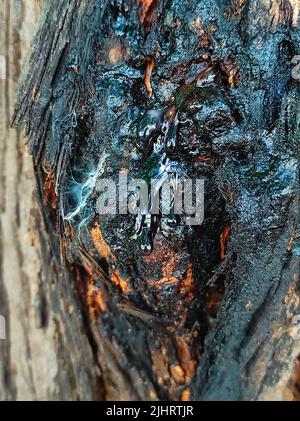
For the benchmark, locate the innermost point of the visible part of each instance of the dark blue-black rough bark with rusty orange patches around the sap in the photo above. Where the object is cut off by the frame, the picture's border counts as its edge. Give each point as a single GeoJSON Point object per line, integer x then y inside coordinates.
{"type": "Point", "coordinates": [212, 311]}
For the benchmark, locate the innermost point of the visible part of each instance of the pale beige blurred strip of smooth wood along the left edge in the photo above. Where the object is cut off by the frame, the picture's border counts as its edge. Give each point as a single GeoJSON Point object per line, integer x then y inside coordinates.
{"type": "Point", "coordinates": [46, 355]}
